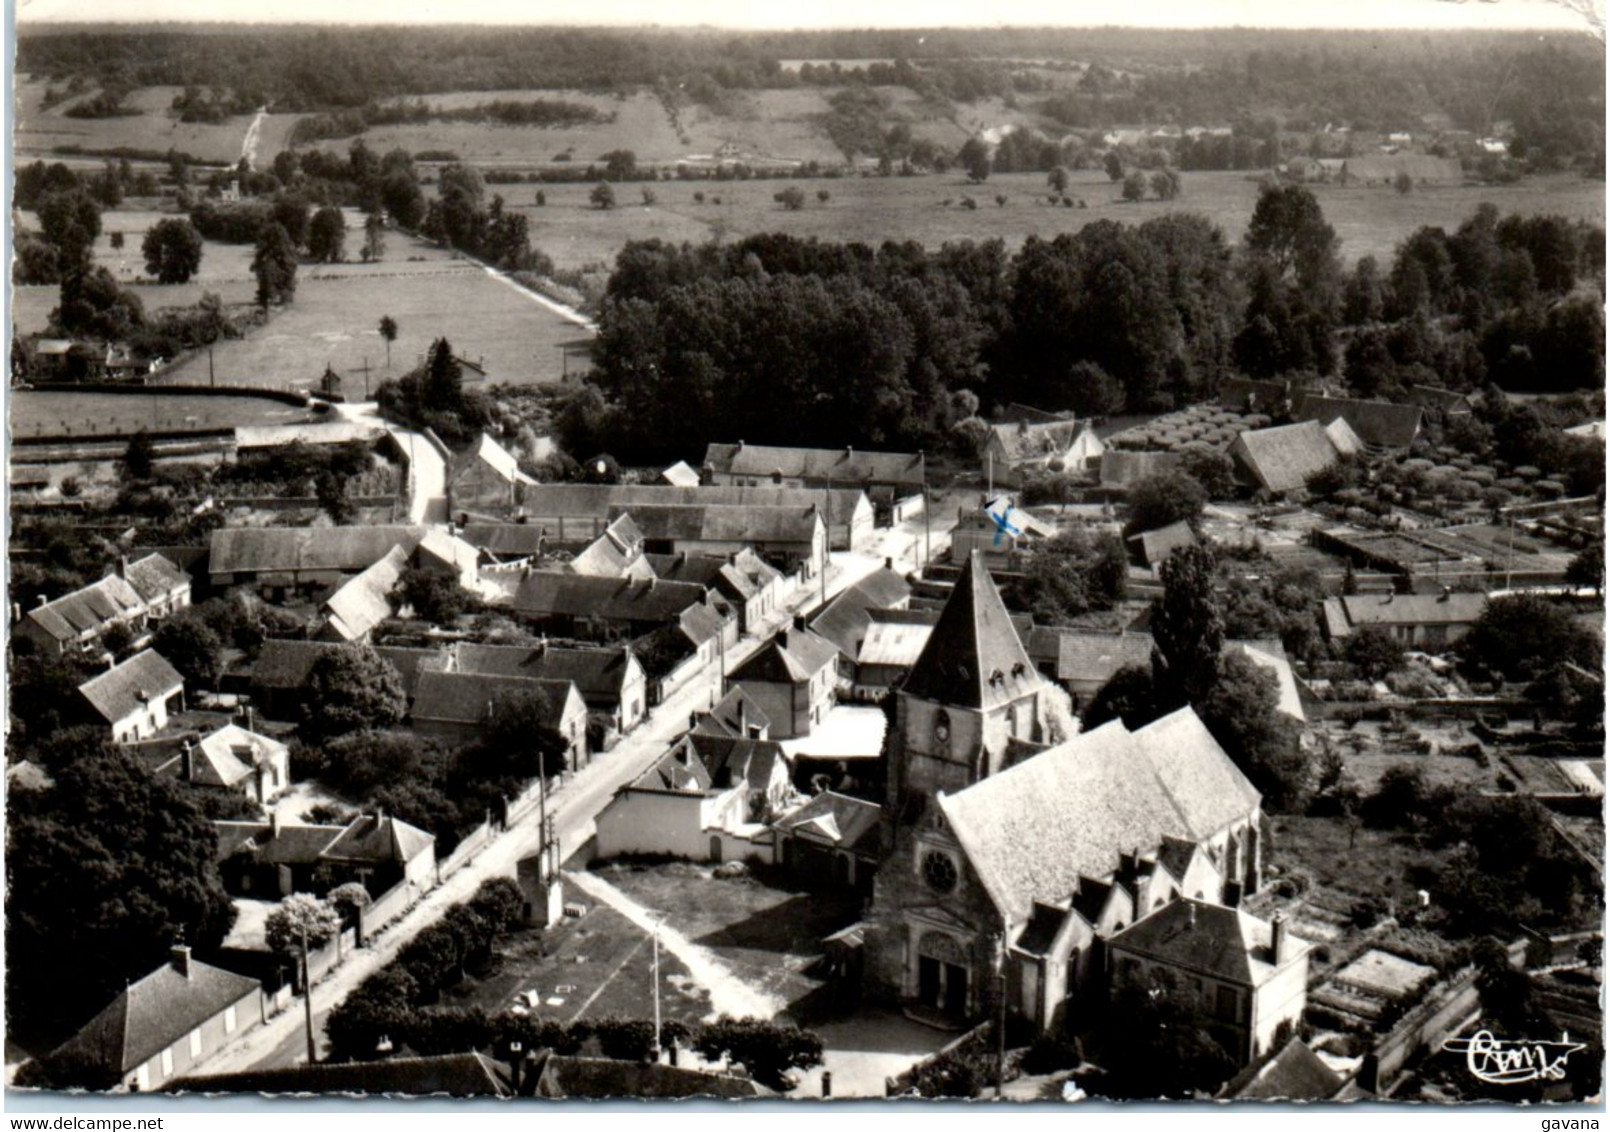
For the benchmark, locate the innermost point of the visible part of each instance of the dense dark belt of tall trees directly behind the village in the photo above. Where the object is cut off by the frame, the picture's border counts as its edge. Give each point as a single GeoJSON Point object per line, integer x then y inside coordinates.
{"type": "Point", "coordinates": [785, 341]}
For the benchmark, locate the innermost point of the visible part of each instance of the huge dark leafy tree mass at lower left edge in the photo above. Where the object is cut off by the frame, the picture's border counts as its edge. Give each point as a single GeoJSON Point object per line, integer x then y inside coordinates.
{"type": "Point", "coordinates": [107, 870]}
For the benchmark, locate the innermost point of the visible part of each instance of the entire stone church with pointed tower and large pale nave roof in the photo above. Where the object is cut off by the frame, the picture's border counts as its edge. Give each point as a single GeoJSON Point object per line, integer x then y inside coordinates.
{"type": "Point", "coordinates": [1013, 859]}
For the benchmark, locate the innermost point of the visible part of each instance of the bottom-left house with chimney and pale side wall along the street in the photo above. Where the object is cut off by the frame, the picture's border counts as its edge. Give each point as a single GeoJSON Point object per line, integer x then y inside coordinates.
{"type": "Point", "coordinates": [160, 1027]}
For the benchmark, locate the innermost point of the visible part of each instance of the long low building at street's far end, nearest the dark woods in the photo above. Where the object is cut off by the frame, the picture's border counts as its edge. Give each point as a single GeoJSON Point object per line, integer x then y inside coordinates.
{"type": "Point", "coordinates": [894, 481]}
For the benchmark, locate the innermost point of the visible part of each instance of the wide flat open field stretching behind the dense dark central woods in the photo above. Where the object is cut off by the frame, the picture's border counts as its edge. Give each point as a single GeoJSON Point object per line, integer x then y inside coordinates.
{"type": "Point", "coordinates": [872, 210]}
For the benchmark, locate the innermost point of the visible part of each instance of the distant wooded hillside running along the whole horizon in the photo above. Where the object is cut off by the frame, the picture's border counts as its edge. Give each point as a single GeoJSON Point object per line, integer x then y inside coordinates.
{"type": "Point", "coordinates": [1366, 80]}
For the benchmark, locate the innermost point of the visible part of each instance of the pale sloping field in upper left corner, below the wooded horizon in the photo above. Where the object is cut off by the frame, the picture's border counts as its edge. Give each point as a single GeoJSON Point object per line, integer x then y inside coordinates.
{"type": "Point", "coordinates": [41, 131]}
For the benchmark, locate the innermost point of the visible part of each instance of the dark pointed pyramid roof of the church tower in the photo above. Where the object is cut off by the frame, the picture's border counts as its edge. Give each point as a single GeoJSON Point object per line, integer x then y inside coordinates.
{"type": "Point", "coordinates": [973, 658]}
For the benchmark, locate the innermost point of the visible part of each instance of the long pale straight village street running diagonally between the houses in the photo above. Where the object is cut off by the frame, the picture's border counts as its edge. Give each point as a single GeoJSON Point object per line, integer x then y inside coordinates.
{"type": "Point", "coordinates": [576, 804]}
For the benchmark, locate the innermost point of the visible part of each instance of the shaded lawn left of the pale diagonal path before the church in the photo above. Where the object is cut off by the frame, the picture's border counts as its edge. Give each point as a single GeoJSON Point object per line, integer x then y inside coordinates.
{"type": "Point", "coordinates": [598, 965]}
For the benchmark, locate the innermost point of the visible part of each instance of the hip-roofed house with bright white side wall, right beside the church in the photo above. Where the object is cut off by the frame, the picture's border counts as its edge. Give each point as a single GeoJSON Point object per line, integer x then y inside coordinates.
{"type": "Point", "coordinates": [1249, 975]}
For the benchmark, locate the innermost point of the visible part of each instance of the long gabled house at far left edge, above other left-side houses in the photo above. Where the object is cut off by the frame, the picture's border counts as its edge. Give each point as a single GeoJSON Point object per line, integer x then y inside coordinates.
{"type": "Point", "coordinates": [134, 595]}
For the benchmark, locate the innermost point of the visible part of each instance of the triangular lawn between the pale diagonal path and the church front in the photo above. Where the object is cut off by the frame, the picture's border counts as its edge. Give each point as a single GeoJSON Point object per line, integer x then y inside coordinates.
{"type": "Point", "coordinates": [766, 928]}
